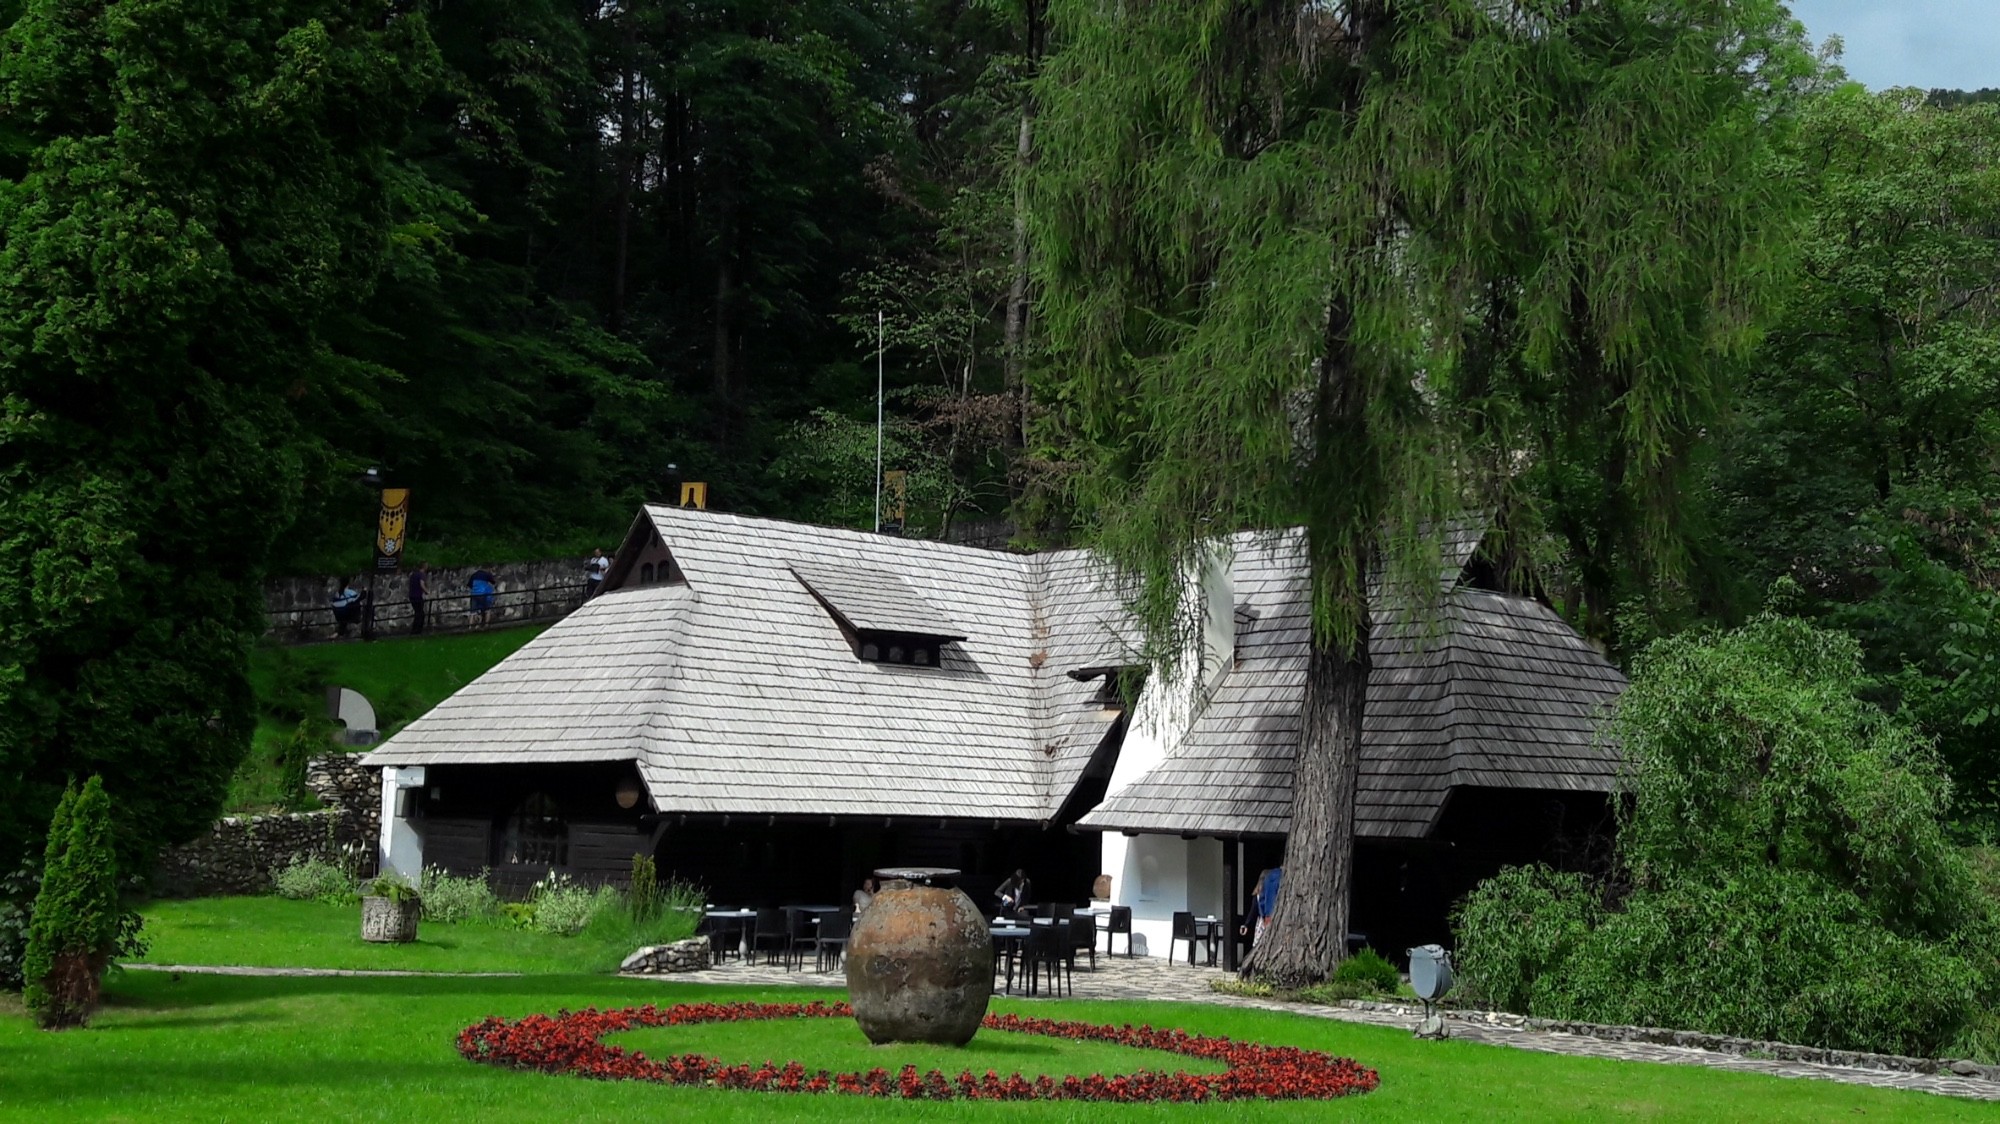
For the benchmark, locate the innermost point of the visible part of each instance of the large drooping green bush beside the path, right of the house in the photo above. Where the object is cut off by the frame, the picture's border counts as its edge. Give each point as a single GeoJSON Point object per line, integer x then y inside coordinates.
{"type": "Point", "coordinates": [1785, 869]}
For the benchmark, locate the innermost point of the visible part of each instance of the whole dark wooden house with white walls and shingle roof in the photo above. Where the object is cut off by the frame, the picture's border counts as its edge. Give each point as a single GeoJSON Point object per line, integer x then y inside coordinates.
{"type": "Point", "coordinates": [775, 709]}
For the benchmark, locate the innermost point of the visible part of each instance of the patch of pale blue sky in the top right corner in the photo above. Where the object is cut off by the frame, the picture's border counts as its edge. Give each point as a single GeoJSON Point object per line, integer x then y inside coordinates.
{"type": "Point", "coordinates": [1951, 45]}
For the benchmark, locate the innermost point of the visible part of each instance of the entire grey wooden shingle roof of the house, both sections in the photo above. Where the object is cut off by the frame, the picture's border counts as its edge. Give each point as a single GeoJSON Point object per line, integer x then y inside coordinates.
{"type": "Point", "coordinates": [737, 693]}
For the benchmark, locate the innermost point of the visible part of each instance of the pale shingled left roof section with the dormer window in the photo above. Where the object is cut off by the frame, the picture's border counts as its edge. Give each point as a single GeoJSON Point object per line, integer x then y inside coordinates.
{"type": "Point", "coordinates": [743, 697]}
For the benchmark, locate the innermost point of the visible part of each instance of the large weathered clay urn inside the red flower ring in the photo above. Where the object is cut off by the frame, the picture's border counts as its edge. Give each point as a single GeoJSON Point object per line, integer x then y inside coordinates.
{"type": "Point", "coordinates": [921, 965]}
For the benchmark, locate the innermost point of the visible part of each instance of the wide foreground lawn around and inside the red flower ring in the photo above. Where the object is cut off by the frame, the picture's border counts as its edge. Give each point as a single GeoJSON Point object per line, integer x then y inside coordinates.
{"type": "Point", "coordinates": [267, 1049]}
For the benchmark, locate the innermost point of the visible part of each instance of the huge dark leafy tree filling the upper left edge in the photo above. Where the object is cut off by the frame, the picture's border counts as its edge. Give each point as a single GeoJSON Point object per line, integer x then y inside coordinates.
{"type": "Point", "coordinates": [191, 191]}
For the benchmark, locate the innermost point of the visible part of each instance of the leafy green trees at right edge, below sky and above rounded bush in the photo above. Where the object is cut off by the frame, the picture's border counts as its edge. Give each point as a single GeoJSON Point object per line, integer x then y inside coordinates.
{"type": "Point", "coordinates": [1861, 459]}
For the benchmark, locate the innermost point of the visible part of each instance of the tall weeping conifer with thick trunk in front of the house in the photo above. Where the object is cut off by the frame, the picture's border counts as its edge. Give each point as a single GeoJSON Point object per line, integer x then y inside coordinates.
{"type": "Point", "coordinates": [1267, 233]}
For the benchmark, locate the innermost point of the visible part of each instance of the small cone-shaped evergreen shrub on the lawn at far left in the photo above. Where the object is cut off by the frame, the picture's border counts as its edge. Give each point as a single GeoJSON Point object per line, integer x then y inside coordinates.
{"type": "Point", "coordinates": [77, 923]}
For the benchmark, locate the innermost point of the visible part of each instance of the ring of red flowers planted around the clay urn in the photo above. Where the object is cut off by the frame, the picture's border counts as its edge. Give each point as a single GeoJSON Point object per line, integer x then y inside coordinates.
{"type": "Point", "coordinates": [571, 1043]}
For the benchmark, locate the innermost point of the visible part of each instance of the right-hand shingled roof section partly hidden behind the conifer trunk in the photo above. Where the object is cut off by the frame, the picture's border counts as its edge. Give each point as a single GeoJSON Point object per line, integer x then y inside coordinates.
{"type": "Point", "coordinates": [1503, 695]}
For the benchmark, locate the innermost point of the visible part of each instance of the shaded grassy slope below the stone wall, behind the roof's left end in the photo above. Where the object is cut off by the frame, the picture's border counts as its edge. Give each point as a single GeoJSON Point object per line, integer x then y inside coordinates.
{"type": "Point", "coordinates": [407, 673]}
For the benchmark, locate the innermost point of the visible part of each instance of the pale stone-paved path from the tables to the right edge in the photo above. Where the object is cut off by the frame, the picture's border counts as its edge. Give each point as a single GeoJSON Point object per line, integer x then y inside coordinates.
{"type": "Point", "coordinates": [1155, 979]}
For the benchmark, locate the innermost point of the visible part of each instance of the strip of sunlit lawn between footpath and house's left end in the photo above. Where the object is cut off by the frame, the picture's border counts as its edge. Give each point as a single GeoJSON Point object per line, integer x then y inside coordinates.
{"type": "Point", "coordinates": [273, 933]}
